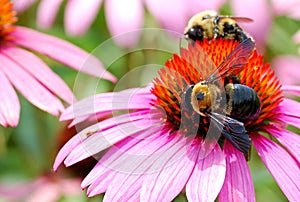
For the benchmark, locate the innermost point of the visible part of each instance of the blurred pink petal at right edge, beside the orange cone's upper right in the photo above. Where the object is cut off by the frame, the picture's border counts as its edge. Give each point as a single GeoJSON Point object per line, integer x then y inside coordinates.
{"type": "Point", "coordinates": [286, 69]}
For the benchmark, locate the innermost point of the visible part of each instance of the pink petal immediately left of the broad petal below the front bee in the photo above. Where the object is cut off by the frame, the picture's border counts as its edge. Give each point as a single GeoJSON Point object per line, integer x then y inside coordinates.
{"type": "Point", "coordinates": [165, 184]}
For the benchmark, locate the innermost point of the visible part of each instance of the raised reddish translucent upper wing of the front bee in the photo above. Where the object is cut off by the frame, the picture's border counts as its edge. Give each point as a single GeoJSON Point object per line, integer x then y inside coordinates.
{"type": "Point", "coordinates": [236, 59]}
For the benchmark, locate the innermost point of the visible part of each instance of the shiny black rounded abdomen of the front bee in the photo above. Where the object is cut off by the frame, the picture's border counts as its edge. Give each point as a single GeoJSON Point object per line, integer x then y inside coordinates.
{"type": "Point", "coordinates": [243, 102]}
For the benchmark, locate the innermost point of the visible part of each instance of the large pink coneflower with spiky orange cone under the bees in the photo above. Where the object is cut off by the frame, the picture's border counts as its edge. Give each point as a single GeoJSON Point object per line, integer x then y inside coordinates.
{"type": "Point", "coordinates": [156, 150]}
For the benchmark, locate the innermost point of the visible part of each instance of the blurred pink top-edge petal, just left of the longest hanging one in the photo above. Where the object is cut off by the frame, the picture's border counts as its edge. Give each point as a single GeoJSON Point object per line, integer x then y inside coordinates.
{"type": "Point", "coordinates": [80, 11]}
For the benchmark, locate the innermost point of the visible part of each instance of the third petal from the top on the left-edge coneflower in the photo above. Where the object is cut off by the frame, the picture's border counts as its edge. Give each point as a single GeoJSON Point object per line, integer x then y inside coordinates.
{"type": "Point", "coordinates": [30, 88]}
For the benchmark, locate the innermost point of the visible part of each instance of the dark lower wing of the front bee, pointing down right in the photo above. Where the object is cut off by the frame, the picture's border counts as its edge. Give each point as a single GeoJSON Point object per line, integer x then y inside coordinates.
{"type": "Point", "coordinates": [233, 130]}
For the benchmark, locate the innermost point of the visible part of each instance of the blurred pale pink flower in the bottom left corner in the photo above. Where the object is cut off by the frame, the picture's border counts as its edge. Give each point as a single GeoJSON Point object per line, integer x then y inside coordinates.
{"type": "Point", "coordinates": [44, 189]}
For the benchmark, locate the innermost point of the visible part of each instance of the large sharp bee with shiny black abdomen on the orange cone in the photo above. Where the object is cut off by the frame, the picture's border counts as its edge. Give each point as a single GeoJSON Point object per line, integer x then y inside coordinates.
{"type": "Point", "coordinates": [239, 103]}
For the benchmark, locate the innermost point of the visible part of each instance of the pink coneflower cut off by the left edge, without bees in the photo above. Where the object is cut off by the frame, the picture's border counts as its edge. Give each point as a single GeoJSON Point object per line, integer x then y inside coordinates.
{"type": "Point", "coordinates": [25, 71]}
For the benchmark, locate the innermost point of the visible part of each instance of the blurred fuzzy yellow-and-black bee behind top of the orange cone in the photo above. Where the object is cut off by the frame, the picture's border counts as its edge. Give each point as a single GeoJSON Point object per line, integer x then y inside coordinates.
{"type": "Point", "coordinates": [209, 25]}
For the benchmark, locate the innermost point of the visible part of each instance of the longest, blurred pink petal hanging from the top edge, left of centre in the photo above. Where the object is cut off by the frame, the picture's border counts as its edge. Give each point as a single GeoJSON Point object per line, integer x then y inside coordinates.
{"type": "Point", "coordinates": [123, 17]}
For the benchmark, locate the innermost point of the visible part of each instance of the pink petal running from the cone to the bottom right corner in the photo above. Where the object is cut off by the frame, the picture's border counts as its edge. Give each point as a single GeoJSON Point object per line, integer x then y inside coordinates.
{"type": "Point", "coordinates": [281, 165]}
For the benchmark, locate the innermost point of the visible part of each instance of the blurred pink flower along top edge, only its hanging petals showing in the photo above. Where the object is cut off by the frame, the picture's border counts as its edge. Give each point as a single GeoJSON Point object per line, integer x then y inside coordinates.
{"type": "Point", "coordinates": [121, 16]}
